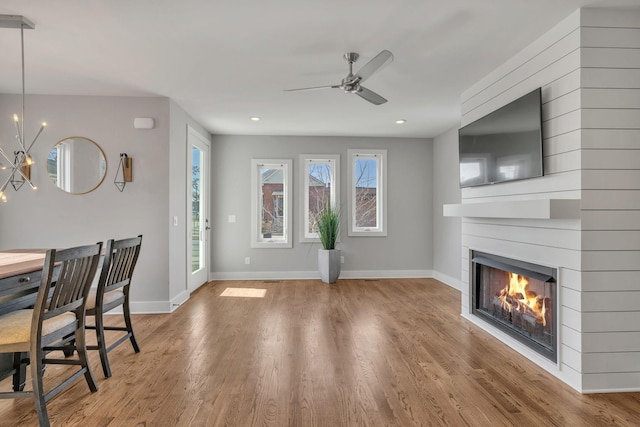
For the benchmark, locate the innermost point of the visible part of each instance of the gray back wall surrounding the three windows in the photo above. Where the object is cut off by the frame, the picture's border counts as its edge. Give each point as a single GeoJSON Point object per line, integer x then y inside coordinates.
{"type": "Point", "coordinates": [408, 246]}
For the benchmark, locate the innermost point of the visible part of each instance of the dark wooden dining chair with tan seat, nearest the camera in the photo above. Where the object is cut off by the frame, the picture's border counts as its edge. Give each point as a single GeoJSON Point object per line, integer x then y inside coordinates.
{"type": "Point", "coordinates": [57, 318]}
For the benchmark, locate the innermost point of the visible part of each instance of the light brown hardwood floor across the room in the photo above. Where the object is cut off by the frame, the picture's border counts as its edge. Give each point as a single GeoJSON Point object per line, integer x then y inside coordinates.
{"type": "Point", "coordinates": [356, 353]}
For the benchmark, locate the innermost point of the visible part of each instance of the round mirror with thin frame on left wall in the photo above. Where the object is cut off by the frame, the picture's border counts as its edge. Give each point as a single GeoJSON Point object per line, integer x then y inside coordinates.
{"type": "Point", "coordinates": [76, 165]}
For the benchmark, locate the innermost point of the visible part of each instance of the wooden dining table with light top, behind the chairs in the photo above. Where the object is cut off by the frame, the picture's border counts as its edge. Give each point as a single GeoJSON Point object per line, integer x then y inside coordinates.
{"type": "Point", "coordinates": [20, 276]}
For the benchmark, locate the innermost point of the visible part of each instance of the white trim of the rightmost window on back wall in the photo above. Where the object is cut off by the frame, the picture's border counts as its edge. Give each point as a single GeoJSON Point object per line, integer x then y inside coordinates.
{"type": "Point", "coordinates": [381, 193]}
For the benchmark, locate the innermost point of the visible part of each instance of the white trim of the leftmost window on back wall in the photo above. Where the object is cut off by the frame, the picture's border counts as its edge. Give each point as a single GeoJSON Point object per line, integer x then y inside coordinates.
{"type": "Point", "coordinates": [257, 241]}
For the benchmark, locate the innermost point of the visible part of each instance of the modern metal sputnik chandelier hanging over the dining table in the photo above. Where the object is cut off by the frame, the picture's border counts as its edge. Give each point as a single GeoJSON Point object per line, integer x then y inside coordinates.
{"type": "Point", "coordinates": [19, 162]}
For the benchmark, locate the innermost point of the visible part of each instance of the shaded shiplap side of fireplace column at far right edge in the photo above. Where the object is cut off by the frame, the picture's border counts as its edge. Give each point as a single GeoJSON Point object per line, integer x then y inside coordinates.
{"type": "Point", "coordinates": [610, 109]}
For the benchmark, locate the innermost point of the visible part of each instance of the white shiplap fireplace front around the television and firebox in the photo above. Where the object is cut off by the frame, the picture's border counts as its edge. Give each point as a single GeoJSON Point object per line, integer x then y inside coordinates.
{"type": "Point", "coordinates": [553, 63]}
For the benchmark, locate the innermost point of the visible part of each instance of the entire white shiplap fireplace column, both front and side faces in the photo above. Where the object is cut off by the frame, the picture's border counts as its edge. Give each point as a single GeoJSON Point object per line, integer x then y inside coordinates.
{"type": "Point", "coordinates": [589, 69]}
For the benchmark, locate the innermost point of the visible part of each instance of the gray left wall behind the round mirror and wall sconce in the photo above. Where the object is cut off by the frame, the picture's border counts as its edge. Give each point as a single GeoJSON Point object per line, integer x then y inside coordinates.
{"type": "Point", "coordinates": [49, 217]}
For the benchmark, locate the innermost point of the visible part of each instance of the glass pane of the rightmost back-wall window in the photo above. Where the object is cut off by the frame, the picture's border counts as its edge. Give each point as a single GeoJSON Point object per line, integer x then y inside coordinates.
{"type": "Point", "coordinates": [366, 192]}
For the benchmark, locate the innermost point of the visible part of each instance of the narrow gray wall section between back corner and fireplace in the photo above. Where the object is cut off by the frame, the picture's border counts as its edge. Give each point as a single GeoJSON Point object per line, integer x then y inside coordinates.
{"type": "Point", "coordinates": [447, 238]}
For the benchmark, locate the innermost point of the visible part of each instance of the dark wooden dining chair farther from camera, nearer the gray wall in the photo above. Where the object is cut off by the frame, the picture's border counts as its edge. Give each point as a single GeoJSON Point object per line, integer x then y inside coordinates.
{"type": "Point", "coordinates": [113, 291]}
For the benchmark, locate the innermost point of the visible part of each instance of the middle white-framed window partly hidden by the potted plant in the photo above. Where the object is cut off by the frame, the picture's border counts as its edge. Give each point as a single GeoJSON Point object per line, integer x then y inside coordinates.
{"type": "Point", "coordinates": [320, 185]}
